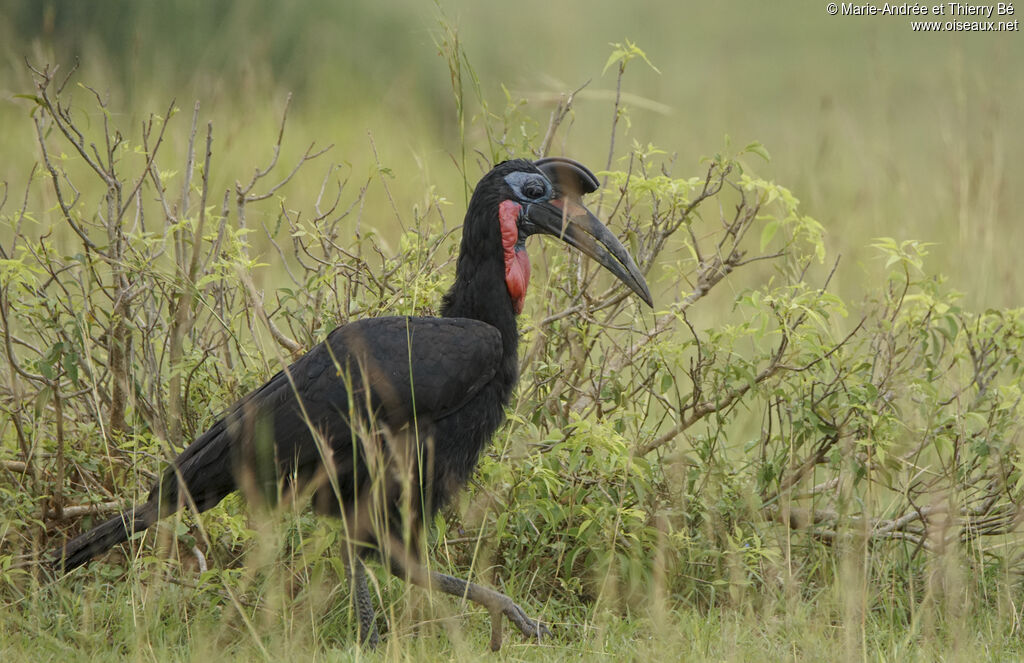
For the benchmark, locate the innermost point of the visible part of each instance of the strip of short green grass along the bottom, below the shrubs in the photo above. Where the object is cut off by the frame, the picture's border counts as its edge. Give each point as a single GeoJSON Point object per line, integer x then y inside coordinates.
{"type": "Point", "coordinates": [150, 619]}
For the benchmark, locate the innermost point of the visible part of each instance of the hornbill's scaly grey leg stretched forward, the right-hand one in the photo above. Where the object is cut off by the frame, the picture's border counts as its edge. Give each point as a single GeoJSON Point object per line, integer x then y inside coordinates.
{"type": "Point", "coordinates": [496, 603]}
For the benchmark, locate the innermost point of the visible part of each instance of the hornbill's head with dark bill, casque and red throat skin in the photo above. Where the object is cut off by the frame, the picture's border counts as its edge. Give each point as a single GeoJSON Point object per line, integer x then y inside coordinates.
{"type": "Point", "coordinates": [546, 197]}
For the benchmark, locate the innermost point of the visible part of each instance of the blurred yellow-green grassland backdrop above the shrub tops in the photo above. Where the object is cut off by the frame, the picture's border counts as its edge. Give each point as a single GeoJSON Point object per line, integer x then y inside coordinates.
{"type": "Point", "coordinates": [878, 130]}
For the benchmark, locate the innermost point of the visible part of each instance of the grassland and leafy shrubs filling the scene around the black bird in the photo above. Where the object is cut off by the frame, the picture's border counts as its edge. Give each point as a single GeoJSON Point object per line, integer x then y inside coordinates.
{"type": "Point", "coordinates": [794, 458]}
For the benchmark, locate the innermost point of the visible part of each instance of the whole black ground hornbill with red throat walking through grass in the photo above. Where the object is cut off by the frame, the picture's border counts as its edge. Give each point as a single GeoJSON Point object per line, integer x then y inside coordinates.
{"type": "Point", "coordinates": [385, 421]}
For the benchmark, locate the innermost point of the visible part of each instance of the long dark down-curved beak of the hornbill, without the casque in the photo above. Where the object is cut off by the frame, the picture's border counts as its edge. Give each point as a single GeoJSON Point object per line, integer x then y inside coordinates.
{"type": "Point", "coordinates": [568, 220]}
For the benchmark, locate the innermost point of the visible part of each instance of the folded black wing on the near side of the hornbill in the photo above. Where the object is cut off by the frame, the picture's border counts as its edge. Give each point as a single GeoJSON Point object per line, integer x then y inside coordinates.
{"type": "Point", "coordinates": [400, 369]}
